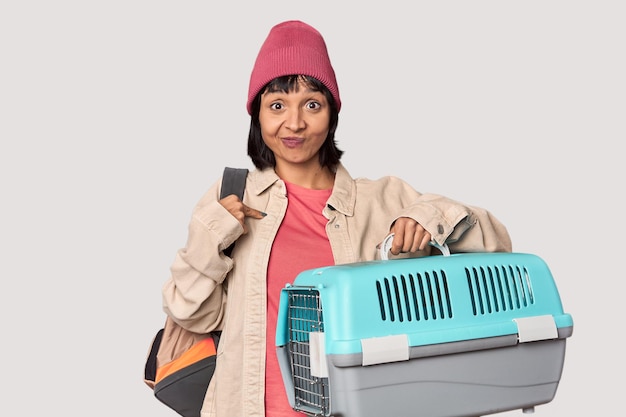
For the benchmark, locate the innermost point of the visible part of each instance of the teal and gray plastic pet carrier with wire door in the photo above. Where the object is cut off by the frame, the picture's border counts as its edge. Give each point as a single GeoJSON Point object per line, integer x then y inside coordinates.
{"type": "Point", "coordinates": [440, 336]}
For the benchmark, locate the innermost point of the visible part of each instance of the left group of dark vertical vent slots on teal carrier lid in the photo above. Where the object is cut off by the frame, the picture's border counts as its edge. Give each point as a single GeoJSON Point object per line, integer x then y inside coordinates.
{"type": "Point", "coordinates": [415, 297]}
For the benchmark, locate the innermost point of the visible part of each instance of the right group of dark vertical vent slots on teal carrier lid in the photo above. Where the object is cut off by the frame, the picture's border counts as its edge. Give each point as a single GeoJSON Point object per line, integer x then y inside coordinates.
{"type": "Point", "coordinates": [494, 289]}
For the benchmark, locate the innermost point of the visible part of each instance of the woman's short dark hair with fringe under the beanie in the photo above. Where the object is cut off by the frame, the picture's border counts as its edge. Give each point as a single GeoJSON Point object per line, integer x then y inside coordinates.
{"type": "Point", "coordinates": [261, 155]}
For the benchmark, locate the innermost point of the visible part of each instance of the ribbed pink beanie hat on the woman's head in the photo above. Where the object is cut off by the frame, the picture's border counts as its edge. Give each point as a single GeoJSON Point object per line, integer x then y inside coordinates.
{"type": "Point", "coordinates": [292, 47]}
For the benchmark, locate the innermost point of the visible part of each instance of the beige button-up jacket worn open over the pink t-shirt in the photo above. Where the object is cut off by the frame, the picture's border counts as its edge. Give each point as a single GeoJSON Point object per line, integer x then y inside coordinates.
{"type": "Point", "coordinates": [208, 290]}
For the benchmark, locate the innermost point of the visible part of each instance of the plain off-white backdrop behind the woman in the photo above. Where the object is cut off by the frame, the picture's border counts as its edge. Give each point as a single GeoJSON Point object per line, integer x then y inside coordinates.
{"type": "Point", "coordinates": [115, 116]}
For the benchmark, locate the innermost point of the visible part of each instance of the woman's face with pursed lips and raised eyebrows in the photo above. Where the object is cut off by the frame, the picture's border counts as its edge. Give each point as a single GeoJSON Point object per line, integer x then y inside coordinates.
{"type": "Point", "coordinates": [294, 125]}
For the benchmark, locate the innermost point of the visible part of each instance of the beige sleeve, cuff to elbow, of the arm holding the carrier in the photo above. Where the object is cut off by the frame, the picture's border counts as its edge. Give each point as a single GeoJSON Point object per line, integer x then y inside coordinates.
{"type": "Point", "coordinates": [462, 227]}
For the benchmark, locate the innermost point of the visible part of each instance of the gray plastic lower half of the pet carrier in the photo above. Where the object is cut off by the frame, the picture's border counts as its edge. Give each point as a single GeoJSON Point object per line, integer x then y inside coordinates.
{"type": "Point", "coordinates": [460, 379]}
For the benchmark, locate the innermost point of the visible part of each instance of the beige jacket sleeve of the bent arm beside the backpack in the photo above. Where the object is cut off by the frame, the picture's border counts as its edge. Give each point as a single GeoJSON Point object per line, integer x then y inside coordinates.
{"type": "Point", "coordinates": [195, 294]}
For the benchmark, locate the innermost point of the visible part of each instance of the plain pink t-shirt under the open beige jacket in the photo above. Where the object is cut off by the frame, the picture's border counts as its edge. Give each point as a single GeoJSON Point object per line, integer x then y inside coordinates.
{"type": "Point", "coordinates": [301, 243]}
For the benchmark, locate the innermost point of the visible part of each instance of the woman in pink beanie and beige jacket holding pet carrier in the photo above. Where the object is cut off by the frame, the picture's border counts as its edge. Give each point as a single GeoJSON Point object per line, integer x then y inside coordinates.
{"type": "Point", "coordinates": [301, 210]}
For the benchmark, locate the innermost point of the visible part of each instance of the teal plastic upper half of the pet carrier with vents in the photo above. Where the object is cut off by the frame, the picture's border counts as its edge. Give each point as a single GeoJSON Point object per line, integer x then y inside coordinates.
{"type": "Point", "coordinates": [389, 305]}
